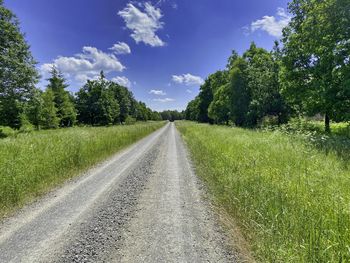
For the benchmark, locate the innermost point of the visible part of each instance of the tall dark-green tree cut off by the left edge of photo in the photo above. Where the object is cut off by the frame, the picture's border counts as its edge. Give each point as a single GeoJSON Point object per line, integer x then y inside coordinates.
{"type": "Point", "coordinates": [17, 69]}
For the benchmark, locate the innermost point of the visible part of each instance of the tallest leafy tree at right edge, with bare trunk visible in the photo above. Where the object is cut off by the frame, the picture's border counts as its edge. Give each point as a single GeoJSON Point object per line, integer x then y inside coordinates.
{"type": "Point", "coordinates": [315, 74]}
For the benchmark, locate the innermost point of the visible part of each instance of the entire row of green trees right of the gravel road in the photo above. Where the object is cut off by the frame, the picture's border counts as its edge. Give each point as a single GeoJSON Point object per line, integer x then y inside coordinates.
{"type": "Point", "coordinates": [306, 73]}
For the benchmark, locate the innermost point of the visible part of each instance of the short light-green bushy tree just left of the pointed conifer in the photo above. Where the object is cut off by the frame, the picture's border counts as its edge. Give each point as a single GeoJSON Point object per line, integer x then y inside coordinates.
{"type": "Point", "coordinates": [48, 119]}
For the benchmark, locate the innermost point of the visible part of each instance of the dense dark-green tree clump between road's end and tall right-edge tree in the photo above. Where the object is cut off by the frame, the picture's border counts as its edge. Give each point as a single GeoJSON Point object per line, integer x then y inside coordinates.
{"type": "Point", "coordinates": [244, 93]}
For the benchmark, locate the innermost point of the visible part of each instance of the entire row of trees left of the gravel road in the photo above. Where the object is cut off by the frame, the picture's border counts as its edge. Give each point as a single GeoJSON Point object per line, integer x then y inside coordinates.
{"type": "Point", "coordinates": [23, 105]}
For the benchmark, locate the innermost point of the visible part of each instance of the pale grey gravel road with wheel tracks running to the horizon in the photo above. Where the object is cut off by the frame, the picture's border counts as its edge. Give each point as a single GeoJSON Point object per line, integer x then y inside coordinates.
{"type": "Point", "coordinates": [143, 205]}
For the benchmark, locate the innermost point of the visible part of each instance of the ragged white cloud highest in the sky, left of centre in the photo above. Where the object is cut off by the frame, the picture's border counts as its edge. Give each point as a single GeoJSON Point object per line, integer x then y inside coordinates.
{"type": "Point", "coordinates": [143, 24]}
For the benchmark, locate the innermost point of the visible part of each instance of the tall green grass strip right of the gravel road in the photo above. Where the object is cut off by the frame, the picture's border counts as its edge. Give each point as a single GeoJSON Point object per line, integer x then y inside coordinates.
{"type": "Point", "coordinates": [291, 199]}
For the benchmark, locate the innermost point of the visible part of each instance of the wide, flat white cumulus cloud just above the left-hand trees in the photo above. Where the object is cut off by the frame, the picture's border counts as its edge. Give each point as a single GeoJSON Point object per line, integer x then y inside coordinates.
{"type": "Point", "coordinates": [86, 65]}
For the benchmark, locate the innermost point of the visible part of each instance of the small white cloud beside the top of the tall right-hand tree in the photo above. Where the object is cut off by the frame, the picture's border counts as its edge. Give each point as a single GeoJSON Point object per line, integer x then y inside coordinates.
{"type": "Point", "coordinates": [273, 25]}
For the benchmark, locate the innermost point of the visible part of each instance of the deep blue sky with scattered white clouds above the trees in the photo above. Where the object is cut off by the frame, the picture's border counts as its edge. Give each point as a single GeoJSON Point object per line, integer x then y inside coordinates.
{"type": "Point", "coordinates": [161, 49]}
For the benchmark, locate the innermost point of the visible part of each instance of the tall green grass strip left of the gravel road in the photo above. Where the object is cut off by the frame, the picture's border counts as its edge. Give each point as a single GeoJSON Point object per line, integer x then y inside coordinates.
{"type": "Point", "coordinates": [33, 163]}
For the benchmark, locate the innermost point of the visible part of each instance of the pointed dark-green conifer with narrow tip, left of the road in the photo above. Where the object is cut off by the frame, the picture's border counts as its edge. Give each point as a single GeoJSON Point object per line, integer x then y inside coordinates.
{"type": "Point", "coordinates": [66, 112]}
